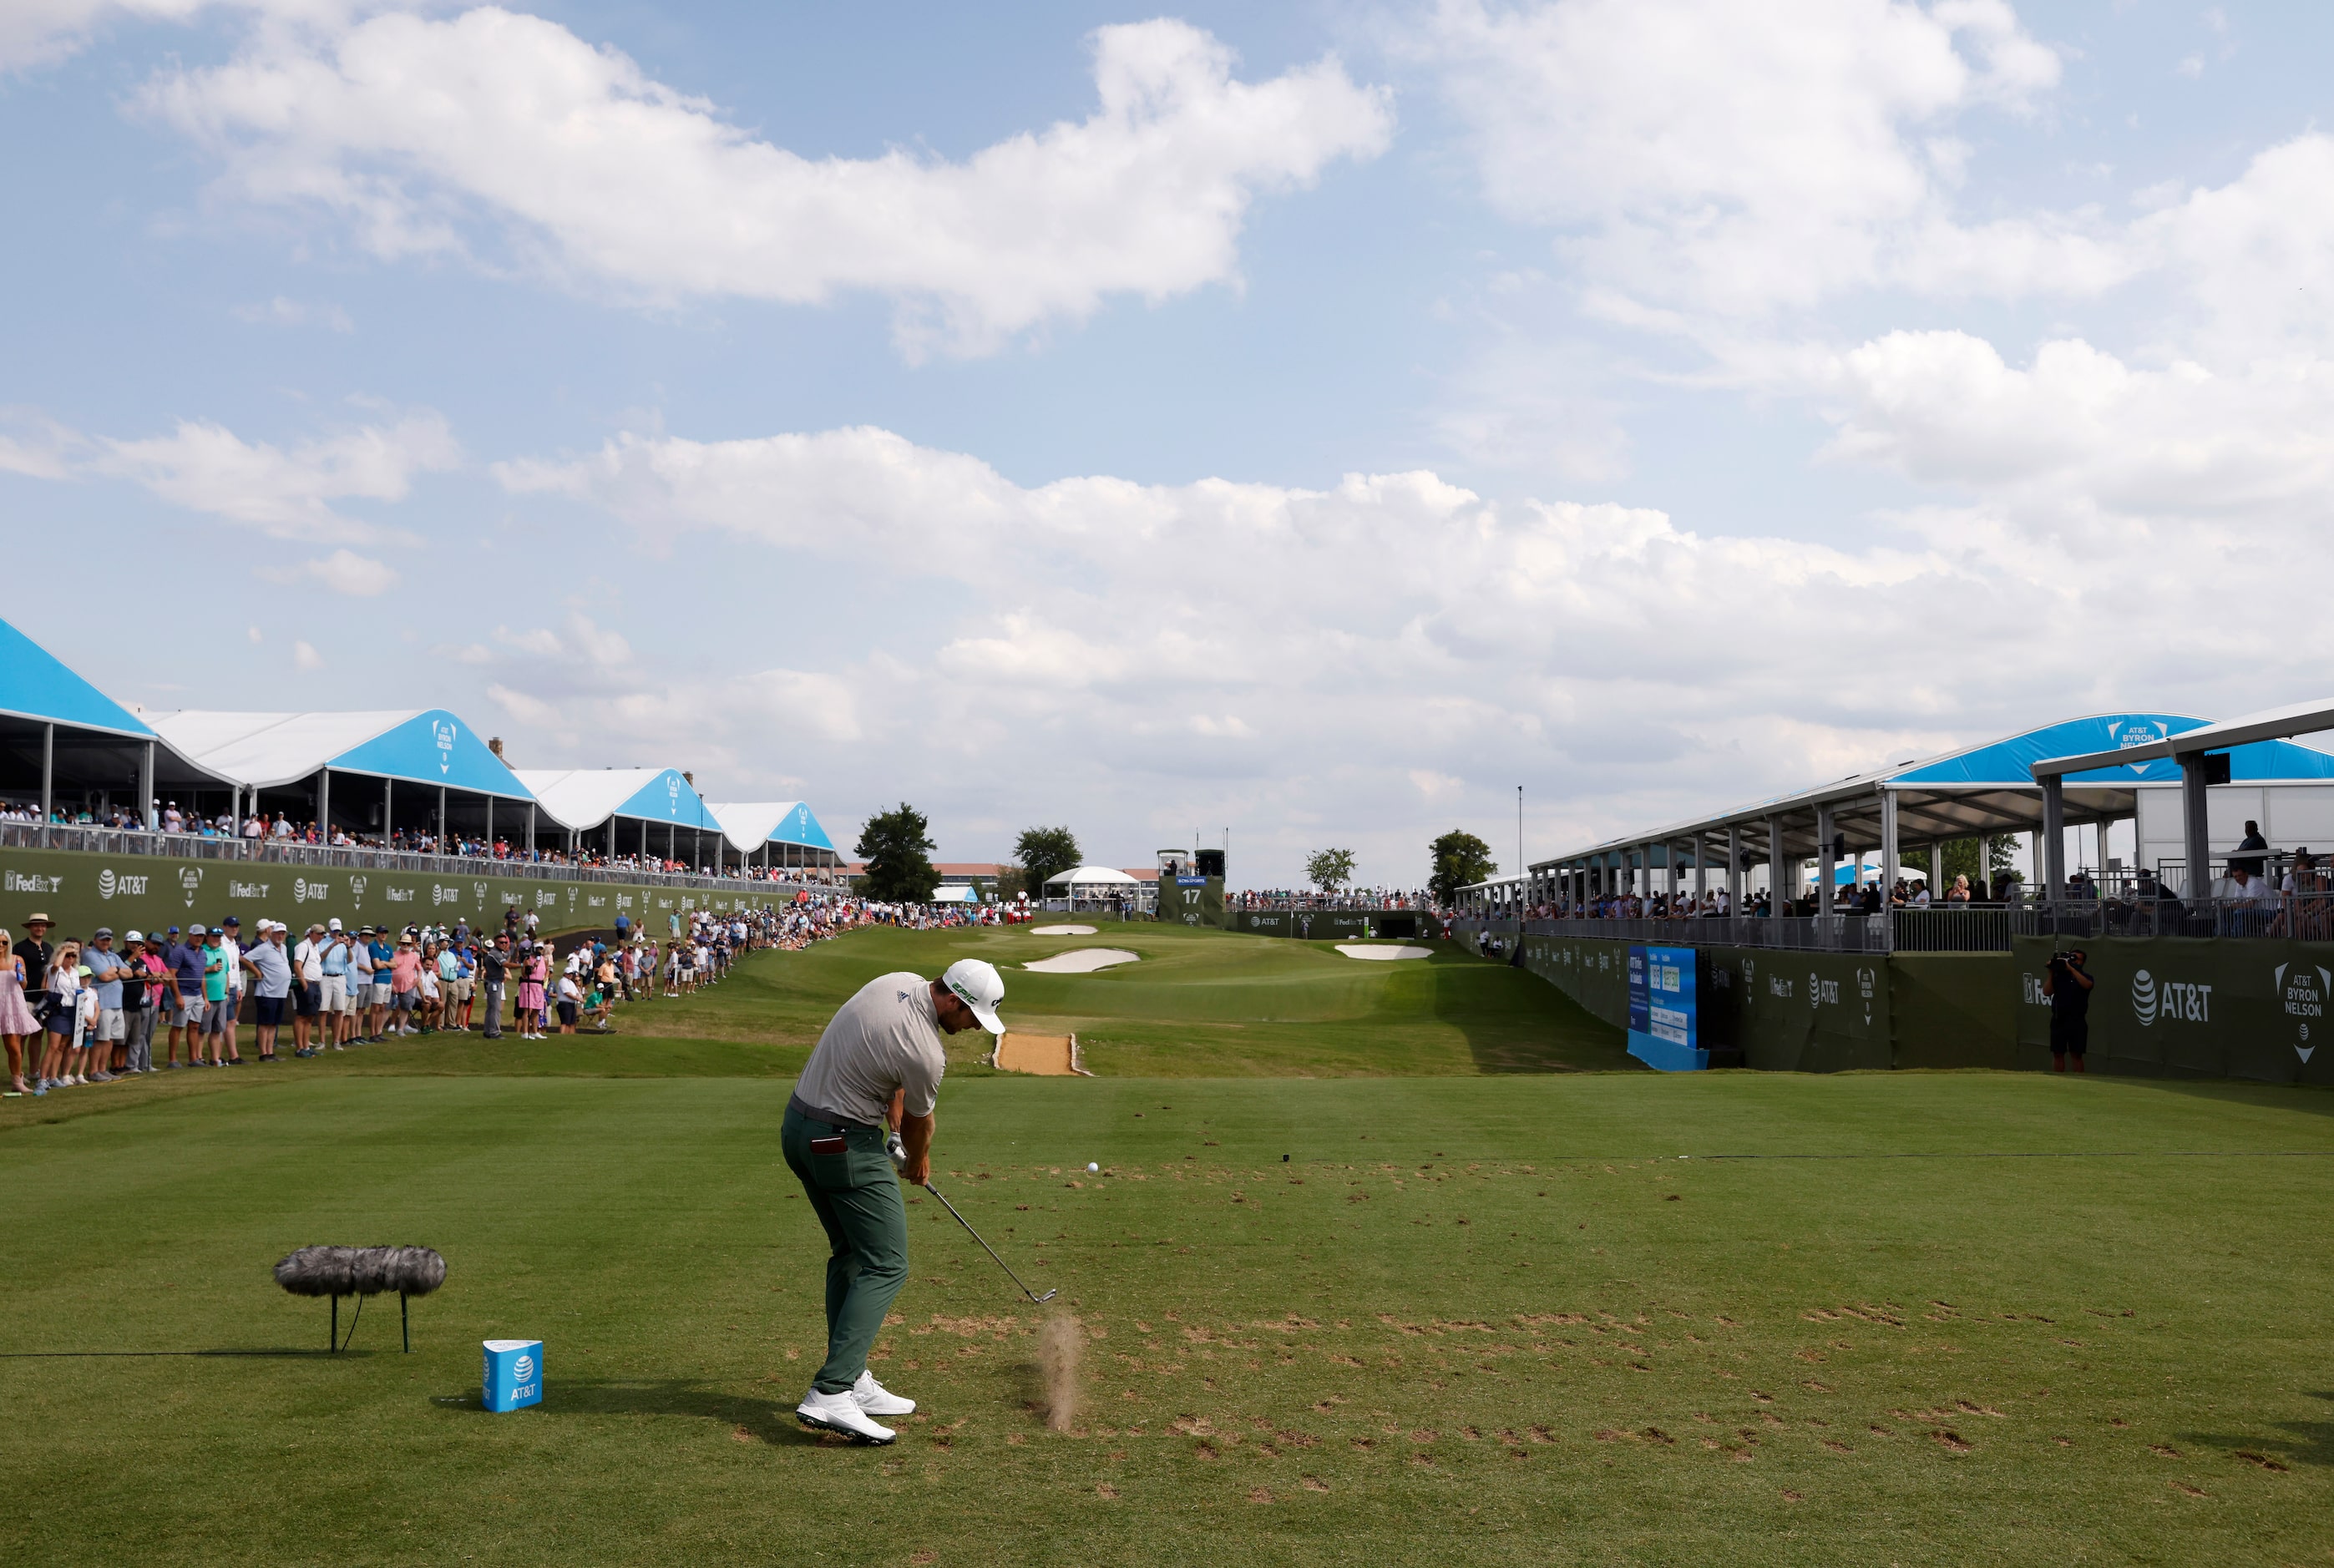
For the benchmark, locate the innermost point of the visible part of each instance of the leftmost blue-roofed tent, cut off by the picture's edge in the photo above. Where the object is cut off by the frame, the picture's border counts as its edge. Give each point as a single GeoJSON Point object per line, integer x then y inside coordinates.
{"type": "Point", "coordinates": [69, 745]}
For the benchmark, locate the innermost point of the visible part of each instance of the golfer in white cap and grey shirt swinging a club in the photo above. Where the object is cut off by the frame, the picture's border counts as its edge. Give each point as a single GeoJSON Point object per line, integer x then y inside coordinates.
{"type": "Point", "coordinates": [879, 1067]}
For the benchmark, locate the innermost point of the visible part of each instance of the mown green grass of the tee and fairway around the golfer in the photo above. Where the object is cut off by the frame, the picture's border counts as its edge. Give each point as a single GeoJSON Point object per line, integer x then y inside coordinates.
{"type": "Point", "coordinates": [1943, 1317]}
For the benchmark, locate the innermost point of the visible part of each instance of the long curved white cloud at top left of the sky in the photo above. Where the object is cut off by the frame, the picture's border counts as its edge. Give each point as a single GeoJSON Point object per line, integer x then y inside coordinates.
{"type": "Point", "coordinates": [454, 134]}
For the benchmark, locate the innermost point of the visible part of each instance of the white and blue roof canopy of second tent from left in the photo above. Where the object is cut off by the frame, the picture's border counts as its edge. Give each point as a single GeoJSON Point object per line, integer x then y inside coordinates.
{"type": "Point", "coordinates": [412, 748]}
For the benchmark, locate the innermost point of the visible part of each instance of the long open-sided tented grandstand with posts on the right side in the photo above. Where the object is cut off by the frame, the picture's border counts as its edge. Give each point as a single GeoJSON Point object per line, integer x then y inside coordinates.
{"type": "Point", "coordinates": [1990, 790]}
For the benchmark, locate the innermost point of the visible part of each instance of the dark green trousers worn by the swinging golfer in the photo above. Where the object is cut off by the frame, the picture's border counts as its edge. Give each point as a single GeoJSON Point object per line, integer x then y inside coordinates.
{"type": "Point", "coordinates": [867, 1233]}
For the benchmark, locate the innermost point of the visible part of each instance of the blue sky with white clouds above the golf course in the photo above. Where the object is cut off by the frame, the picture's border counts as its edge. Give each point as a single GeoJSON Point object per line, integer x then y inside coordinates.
{"type": "Point", "coordinates": [1362, 414]}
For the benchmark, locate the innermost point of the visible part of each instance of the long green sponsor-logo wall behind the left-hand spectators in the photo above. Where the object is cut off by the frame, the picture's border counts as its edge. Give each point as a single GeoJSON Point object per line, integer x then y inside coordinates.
{"type": "Point", "coordinates": [83, 890]}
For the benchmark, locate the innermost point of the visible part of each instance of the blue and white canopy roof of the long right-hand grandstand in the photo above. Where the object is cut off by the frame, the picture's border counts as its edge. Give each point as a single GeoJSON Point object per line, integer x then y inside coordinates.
{"type": "Point", "coordinates": [1962, 794]}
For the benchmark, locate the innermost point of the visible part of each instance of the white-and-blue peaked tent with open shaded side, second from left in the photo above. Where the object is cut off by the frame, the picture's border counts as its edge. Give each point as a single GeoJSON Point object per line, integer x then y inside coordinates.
{"type": "Point", "coordinates": [375, 776]}
